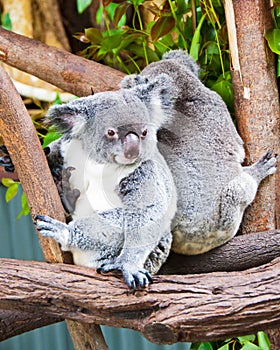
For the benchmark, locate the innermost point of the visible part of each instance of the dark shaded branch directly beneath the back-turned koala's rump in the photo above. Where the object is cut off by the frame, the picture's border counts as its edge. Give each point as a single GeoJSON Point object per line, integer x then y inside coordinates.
{"type": "Point", "coordinates": [240, 253]}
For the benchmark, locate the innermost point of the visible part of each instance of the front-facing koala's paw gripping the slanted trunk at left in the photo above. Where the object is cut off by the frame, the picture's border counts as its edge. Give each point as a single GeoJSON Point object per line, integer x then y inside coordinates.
{"type": "Point", "coordinates": [54, 229]}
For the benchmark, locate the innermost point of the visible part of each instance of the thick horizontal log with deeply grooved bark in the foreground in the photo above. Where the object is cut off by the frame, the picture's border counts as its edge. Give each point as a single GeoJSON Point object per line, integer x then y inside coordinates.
{"type": "Point", "coordinates": [174, 308]}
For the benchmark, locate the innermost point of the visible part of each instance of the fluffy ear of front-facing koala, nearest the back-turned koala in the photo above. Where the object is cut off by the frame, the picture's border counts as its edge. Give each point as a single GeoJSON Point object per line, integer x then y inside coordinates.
{"type": "Point", "coordinates": [159, 94]}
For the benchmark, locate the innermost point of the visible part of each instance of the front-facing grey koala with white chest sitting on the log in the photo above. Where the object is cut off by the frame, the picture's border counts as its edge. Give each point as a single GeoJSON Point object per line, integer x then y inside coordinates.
{"type": "Point", "coordinates": [125, 195]}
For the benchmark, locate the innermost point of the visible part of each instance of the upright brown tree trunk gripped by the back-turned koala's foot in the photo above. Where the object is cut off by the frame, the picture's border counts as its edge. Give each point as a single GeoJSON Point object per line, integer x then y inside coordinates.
{"type": "Point", "coordinates": [257, 105]}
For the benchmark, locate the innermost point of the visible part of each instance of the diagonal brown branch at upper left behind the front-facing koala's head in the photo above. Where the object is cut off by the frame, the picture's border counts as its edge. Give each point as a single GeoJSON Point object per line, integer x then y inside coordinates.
{"type": "Point", "coordinates": [63, 69]}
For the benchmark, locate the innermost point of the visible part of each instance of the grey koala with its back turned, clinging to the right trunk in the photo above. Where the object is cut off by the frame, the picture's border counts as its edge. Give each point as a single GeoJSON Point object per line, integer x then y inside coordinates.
{"type": "Point", "coordinates": [205, 153]}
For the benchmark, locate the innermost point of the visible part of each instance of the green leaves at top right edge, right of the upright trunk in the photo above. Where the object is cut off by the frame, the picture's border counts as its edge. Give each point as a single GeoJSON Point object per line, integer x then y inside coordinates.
{"type": "Point", "coordinates": [273, 35]}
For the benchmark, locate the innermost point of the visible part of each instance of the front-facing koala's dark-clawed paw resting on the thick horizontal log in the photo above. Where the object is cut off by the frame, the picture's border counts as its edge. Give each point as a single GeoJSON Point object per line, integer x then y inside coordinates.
{"type": "Point", "coordinates": [134, 276]}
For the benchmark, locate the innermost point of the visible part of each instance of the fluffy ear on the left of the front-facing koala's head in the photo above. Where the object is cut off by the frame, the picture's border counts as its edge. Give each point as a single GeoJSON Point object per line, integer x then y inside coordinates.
{"type": "Point", "coordinates": [68, 118]}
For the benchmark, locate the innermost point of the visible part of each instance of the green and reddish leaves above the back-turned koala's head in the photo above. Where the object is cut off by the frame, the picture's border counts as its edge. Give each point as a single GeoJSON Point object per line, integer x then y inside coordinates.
{"type": "Point", "coordinates": [129, 43]}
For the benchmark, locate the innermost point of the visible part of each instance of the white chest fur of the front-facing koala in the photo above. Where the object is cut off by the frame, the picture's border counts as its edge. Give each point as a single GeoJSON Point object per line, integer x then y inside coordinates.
{"type": "Point", "coordinates": [96, 182]}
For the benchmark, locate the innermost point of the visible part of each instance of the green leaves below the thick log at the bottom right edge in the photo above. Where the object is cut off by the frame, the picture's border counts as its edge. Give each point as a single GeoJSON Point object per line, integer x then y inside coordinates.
{"type": "Point", "coordinates": [248, 342]}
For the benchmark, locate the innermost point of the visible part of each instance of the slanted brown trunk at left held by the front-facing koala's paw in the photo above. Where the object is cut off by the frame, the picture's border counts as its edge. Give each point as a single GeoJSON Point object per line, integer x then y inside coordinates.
{"type": "Point", "coordinates": [37, 182]}
